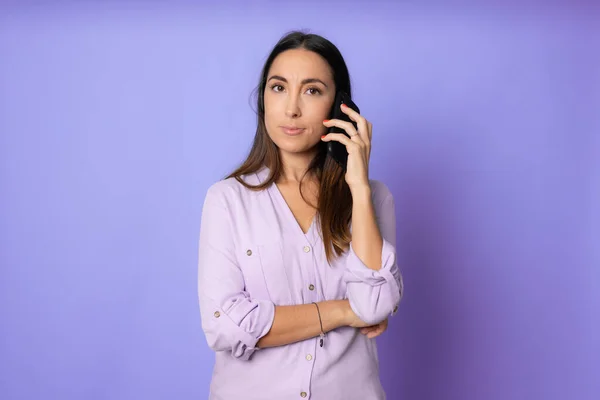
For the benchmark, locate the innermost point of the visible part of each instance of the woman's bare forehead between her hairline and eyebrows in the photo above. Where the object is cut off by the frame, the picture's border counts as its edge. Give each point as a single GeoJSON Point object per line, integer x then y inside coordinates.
{"type": "Point", "coordinates": [301, 64]}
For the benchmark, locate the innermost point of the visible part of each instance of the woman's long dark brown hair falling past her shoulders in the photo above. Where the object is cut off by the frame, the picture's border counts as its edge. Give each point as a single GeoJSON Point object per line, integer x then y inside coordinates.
{"type": "Point", "coordinates": [334, 208]}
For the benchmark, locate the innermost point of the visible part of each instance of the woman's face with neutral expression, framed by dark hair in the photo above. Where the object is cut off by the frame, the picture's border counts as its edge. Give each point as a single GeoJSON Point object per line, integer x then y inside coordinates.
{"type": "Point", "coordinates": [298, 96]}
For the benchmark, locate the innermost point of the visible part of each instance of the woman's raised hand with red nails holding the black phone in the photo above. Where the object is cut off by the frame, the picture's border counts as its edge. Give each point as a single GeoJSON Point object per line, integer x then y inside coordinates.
{"type": "Point", "coordinates": [358, 145]}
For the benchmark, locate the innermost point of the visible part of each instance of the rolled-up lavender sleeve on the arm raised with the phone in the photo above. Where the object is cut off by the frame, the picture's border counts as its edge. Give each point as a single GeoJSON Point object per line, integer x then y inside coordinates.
{"type": "Point", "coordinates": [375, 295]}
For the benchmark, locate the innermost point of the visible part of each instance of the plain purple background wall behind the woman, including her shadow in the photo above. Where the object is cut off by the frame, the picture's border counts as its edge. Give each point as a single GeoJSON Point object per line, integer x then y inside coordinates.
{"type": "Point", "coordinates": [115, 119]}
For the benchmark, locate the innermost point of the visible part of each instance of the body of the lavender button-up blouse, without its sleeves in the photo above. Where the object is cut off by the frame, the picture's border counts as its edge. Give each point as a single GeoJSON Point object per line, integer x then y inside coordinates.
{"type": "Point", "coordinates": [281, 263]}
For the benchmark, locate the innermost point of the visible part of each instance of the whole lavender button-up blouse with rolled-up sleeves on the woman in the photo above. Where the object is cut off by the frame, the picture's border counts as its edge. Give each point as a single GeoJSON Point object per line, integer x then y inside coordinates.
{"type": "Point", "coordinates": [253, 255]}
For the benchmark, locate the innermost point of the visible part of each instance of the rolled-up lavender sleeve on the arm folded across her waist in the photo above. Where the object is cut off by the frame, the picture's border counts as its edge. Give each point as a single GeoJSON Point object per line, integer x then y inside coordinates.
{"type": "Point", "coordinates": [231, 319]}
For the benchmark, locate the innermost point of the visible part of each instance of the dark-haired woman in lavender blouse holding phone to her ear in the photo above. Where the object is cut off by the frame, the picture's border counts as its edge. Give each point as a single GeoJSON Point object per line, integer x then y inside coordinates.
{"type": "Point", "coordinates": [297, 263]}
